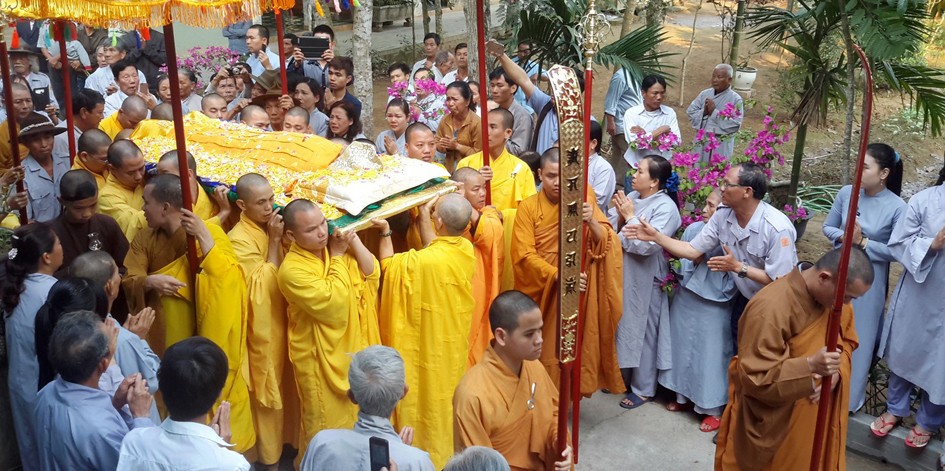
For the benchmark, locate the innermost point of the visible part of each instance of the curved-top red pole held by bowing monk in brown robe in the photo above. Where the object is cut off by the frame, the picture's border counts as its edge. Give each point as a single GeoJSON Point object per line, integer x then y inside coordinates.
{"type": "Point", "coordinates": [833, 326]}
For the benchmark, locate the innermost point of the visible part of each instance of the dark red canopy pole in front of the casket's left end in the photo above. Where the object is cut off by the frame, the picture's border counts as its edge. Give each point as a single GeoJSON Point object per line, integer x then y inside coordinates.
{"type": "Point", "coordinates": [177, 107]}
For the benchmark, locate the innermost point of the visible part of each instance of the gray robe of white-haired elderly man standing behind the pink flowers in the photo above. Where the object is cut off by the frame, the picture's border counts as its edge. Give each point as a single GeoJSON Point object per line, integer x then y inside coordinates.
{"type": "Point", "coordinates": [724, 128]}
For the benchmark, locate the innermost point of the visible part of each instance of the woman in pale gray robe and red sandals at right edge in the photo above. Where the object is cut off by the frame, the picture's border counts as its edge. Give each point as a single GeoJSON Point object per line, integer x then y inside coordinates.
{"type": "Point", "coordinates": [912, 335]}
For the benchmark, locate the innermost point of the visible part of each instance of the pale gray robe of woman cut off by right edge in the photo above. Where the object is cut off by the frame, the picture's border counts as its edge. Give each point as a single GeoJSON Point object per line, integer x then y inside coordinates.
{"type": "Point", "coordinates": [915, 325]}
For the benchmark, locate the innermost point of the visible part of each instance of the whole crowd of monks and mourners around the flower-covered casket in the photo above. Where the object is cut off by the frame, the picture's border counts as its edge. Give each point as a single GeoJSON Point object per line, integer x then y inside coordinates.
{"type": "Point", "coordinates": [434, 330]}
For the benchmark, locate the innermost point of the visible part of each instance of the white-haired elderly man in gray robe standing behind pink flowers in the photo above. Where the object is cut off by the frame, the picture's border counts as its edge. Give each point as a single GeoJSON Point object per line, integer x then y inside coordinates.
{"type": "Point", "coordinates": [717, 110]}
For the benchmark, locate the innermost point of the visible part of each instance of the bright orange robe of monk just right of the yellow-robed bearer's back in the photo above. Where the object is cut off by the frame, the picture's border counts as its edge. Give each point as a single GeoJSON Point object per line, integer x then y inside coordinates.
{"type": "Point", "coordinates": [488, 242]}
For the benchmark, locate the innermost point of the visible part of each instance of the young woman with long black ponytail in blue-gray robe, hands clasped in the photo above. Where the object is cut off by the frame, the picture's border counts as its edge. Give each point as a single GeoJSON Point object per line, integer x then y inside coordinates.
{"type": "Point", "coordinates": [879, 208]}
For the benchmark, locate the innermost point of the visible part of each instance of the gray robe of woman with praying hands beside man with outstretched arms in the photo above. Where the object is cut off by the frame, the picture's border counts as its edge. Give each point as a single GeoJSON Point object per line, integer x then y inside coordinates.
{"type": "Point", "coordinates": [644, 266]}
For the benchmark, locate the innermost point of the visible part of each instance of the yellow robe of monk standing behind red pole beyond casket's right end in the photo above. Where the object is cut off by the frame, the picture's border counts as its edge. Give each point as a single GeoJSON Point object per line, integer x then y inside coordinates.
{"type": "Point", "coordinates": [512, 179]}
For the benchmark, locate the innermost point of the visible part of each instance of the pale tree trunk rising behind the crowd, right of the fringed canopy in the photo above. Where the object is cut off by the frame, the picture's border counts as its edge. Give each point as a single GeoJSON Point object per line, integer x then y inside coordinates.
{"type": "Point", "coordinates": [361, 56]}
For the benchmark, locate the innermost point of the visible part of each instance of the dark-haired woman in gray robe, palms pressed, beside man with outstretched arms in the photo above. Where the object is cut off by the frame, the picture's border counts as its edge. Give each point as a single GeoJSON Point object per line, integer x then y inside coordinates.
{"type": "Point", "coordinates": [643, 342]}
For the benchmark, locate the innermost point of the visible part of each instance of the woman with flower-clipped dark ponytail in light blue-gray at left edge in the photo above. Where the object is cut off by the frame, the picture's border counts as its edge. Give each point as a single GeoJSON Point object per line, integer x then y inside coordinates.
{"type": "Point", "coordinates": [30, 264]}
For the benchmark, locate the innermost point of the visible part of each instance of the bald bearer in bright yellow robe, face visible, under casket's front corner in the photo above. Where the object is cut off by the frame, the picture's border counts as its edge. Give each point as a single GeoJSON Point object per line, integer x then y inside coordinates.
{"type": "Point", "coordinates": [330, 283]}
